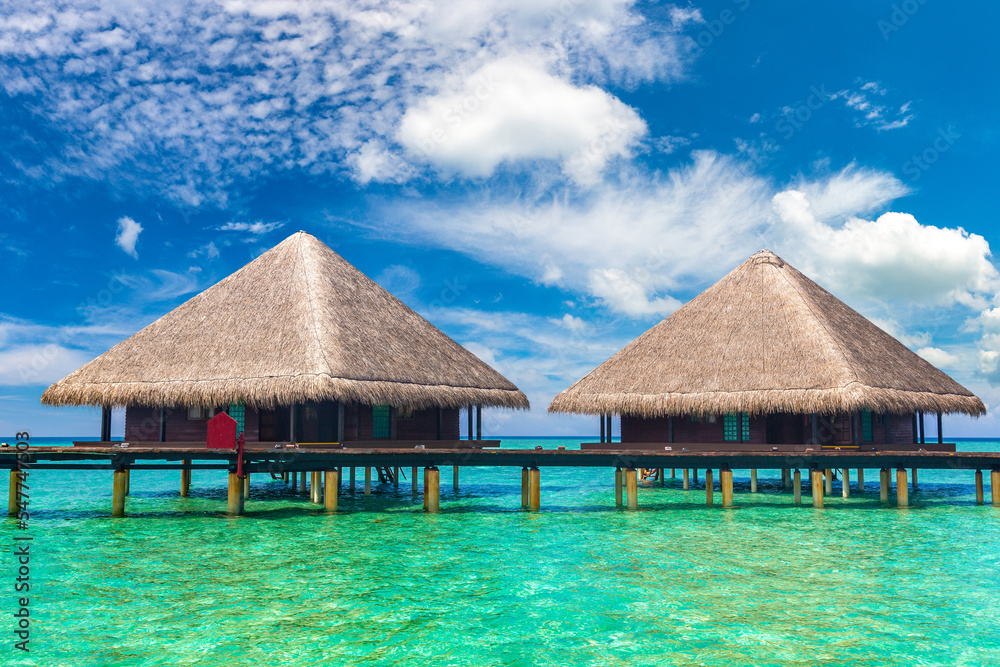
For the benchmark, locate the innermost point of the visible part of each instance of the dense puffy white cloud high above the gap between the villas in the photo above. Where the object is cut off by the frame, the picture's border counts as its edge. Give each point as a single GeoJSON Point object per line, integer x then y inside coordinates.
{"type": "Point", "coordinates": [513, 109]}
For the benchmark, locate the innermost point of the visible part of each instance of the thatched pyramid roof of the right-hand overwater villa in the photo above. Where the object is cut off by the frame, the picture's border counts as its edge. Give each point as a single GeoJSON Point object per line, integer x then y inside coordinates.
{"type": "Point", "coordinates": [765, 339]}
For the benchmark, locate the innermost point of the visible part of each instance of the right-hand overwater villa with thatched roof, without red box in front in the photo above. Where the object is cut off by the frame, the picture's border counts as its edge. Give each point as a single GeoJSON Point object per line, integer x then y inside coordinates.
{"type": "Point", "coordinates": [766, 357]}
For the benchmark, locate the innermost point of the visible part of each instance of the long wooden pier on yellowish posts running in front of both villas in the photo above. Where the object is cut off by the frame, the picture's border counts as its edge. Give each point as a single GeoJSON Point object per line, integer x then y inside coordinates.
{"type": "Point", "coordinates": [325, 463]}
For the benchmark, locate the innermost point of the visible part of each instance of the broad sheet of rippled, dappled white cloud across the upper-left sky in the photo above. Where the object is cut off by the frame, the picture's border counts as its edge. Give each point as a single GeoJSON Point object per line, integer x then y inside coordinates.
{"type": "Point", "coordinates": [188, 96]}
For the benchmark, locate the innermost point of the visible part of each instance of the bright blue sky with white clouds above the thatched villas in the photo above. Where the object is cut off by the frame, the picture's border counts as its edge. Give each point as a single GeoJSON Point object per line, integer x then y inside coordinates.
{"type": "Point", "coordinates": [543, 180]}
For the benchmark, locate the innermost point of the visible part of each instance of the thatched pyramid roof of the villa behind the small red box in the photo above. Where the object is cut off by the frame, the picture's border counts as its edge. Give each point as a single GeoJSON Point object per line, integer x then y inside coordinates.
{"type": "Point", "coordinates": [297, 323]}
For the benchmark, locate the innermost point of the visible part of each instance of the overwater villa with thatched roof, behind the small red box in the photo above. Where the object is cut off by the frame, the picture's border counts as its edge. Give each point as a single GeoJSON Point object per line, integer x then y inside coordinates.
{"type": "Point", "coordinates": [298, 345]}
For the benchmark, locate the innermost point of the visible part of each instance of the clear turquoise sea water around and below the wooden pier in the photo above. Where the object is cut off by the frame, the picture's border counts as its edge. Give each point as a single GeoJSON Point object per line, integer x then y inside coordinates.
{"type": "Point", "coordinates": [485, 583]}
